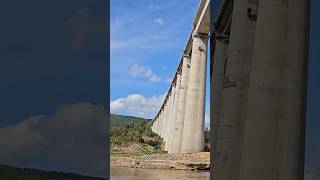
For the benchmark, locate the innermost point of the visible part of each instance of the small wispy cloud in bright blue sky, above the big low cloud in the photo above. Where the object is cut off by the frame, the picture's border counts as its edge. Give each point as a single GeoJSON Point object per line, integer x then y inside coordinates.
{"type": "Point", "coordinates": [139, 71]}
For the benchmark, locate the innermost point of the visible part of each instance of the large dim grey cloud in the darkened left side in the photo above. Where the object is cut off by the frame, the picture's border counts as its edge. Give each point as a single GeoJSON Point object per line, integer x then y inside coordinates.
{"type": "Point", "coordinates": [72, 140]}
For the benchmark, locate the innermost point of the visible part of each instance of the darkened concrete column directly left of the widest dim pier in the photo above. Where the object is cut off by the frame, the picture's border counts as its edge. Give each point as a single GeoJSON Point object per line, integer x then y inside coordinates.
{"type": "Point", "coordinates": [232, 115]}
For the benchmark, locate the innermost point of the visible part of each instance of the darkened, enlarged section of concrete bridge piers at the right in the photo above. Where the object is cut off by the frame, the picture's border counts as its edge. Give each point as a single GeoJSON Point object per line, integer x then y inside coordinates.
{"type": "Point", "coordinates": [259, 99]}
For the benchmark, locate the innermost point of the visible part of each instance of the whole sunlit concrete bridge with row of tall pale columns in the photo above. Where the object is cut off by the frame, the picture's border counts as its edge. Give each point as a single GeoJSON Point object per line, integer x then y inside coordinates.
{"type": "Point", "coordinates": [180, 120]}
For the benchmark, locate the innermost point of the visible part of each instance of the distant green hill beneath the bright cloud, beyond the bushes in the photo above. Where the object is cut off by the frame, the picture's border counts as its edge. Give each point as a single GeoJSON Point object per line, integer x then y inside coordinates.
{"type": "Point", "coordinates": [122, 121]}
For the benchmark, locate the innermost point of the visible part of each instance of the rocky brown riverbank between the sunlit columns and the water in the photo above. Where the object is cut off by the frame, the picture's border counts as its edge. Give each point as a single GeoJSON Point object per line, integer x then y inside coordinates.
{"type": "Point", "coordinates": [188, 161]}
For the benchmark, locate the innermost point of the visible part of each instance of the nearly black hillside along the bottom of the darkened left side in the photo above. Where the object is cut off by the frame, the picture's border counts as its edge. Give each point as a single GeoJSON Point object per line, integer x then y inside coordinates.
{"type": "Point", "coordinates": [15, 173]}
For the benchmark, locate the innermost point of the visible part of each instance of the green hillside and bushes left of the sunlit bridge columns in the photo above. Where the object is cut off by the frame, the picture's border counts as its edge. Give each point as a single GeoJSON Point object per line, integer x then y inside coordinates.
{"type": "Point", "coordinates": [133, 136]}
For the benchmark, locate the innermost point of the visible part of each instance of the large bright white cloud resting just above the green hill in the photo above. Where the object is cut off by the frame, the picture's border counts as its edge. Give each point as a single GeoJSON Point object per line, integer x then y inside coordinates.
{"type": "Point", "coordinates": [137, 105]}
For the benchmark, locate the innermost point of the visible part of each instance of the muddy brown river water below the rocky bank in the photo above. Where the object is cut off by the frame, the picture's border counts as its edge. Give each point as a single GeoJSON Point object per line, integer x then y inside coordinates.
{"type": "Point", "coordinates": [156, 174]}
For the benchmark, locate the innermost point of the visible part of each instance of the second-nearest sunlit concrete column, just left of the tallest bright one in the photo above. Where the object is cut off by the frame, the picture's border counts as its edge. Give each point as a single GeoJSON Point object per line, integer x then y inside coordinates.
{"type": "Point", "coordinates": [178, 127]}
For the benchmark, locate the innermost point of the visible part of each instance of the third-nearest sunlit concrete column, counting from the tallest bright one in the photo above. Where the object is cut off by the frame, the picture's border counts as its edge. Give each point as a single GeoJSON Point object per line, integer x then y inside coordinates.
{"type": "Point", "coordinates": [174, 111]}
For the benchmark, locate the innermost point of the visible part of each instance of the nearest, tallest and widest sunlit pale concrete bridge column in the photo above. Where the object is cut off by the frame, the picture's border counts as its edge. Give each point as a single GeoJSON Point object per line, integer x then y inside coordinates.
{"type": "Point", "coordinates": [193, 133]}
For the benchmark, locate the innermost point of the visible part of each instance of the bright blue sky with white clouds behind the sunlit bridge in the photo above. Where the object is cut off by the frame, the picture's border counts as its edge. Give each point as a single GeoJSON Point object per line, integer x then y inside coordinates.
{"type": "Point", "coordinates": [147, 41]}
